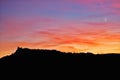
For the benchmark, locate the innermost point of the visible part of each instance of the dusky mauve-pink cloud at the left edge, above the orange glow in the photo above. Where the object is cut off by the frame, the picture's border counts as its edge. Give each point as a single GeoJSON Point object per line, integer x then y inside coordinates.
{"type": "Point", "coordinates": [13, 28]}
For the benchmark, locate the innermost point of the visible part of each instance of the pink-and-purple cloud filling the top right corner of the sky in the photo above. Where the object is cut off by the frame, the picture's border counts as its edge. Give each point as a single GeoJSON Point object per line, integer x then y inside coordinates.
{"type": "Point", "coordinates": [105, 7]}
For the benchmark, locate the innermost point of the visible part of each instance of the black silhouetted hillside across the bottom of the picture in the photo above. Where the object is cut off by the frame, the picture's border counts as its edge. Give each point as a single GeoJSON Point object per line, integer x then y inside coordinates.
{"type": "Point", "coordinates": [35, 62]}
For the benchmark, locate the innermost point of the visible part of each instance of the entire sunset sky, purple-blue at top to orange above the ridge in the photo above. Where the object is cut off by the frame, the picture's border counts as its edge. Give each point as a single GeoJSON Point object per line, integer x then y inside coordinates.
{"type": "Point", "coordinates": [65, 25]}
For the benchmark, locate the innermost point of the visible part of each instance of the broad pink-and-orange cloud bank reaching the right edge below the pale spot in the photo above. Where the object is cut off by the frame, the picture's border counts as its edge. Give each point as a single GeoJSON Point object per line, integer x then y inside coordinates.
{"type": "Point", "coordinates": [87, 35]}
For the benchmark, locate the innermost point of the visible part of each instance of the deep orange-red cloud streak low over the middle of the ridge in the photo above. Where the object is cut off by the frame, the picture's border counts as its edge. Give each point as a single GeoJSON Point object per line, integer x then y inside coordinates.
{"type": "Point", "coordinates": [56, 38]}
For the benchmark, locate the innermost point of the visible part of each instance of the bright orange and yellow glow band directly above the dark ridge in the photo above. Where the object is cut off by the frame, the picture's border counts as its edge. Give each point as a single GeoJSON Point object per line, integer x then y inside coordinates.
{"type": "Point", "coordinates": [96, 42]}
